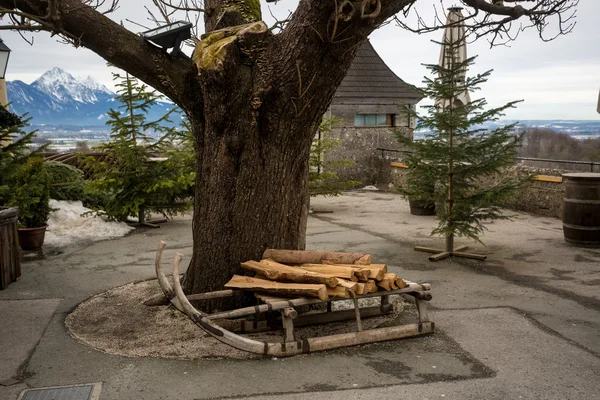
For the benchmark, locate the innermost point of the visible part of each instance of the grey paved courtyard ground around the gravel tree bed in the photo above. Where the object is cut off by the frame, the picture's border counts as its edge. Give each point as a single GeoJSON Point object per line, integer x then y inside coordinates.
{"type": "Point", "coordinates": [523, 324]}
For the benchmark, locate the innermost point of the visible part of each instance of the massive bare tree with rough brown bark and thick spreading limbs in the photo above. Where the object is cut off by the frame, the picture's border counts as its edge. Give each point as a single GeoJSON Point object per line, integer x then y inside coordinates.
{"type": "Point", "coordinates": [254, 103]}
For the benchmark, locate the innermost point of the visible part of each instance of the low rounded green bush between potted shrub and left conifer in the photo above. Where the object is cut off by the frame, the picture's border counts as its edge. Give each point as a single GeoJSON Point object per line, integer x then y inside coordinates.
{"type": "Point", "coordinates": [66, 181]}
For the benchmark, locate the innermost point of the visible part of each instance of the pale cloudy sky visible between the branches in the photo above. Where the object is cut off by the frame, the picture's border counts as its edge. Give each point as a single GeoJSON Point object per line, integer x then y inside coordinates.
{"type": "Point", "coordinates": [556, 80]}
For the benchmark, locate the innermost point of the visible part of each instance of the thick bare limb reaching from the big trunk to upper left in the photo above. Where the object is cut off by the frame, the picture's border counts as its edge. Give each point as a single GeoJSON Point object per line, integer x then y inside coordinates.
{"type": "Point", "coordinates": [84, 23]}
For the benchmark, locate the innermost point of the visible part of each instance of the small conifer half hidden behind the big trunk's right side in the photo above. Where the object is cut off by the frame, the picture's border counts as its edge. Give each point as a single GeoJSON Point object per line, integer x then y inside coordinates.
{"type": "Point", "coordinates": [322, 178]}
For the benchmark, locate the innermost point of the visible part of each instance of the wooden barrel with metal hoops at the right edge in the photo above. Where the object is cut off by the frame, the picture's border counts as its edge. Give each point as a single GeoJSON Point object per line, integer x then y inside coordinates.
{"type": "Point", "coordinates": [581, 209]}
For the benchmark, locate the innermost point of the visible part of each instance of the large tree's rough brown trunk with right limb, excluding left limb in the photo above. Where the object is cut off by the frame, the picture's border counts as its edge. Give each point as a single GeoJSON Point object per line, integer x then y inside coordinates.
{"type": "Point", "coordinates": [261, 105]}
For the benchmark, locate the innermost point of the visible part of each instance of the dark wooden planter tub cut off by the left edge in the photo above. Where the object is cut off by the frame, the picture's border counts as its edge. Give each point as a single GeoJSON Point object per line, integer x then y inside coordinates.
{"type": "Point", "coordinates": [10, 264]}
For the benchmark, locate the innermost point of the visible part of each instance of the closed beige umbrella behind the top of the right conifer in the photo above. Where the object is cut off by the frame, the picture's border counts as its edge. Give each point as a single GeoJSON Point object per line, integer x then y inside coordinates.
{"type": "Point", "coordinates": [454, 33]}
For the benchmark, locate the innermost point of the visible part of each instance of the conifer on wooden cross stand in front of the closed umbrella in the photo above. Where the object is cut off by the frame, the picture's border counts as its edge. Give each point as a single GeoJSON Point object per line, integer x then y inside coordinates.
{"type": "Point", "coordinates": [461, 158]}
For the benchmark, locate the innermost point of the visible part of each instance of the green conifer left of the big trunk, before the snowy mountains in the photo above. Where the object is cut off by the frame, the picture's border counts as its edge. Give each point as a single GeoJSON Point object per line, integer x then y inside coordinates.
{"type": "Point", "coordinates": [128, 182]}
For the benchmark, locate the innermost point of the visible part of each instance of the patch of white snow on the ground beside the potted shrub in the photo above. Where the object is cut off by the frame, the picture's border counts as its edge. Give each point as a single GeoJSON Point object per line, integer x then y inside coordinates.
{"type": "Point", "coordinates": [67, 226]}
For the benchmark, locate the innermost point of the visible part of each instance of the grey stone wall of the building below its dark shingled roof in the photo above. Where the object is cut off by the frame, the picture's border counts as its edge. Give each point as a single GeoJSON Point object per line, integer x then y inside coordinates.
{"type": "Point", "coordinates": [359, 144]}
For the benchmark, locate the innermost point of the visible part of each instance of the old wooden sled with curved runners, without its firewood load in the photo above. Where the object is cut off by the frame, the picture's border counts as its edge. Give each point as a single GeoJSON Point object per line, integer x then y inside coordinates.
{"type": "Point", "coordinates": [220, 326]}
